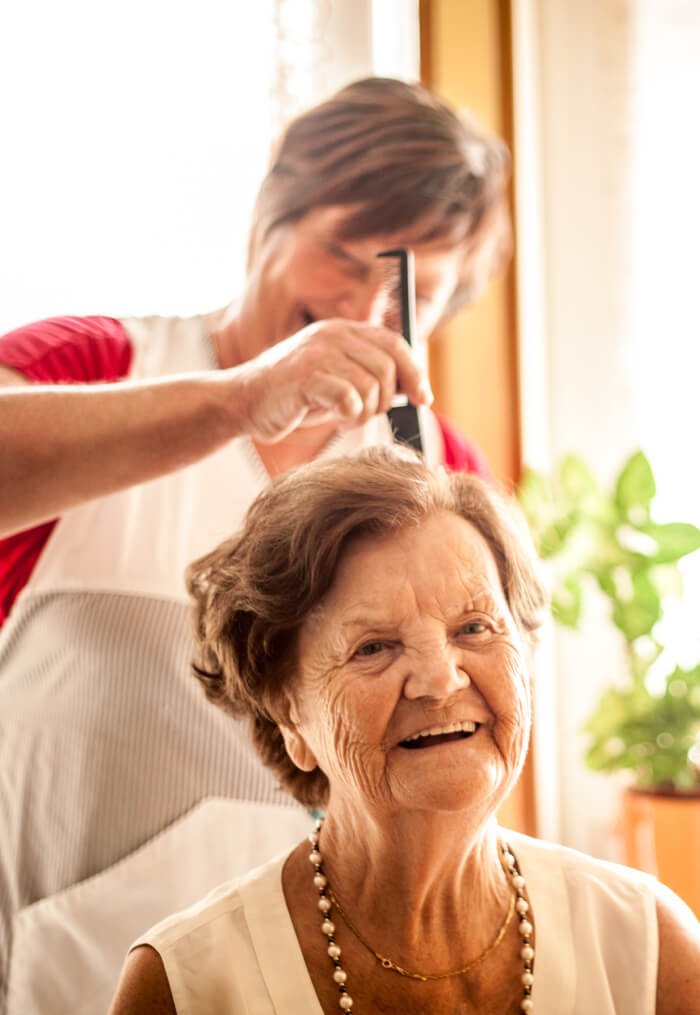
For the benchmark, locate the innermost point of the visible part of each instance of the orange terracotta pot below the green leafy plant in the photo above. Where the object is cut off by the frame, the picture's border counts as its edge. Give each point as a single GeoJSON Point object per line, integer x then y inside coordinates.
{"type": "Point", "coordinates": [661, 832]}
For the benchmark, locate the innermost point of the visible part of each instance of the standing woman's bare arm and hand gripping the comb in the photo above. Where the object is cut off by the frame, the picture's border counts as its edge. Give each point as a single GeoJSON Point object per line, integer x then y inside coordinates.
{"type": "Point", "coordinates": [67, 444]}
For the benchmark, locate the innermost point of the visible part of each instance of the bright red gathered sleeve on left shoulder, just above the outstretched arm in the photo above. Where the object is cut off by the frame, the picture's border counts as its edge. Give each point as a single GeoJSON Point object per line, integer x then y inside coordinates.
{"type": "Point", "coordinates": [65, 350]}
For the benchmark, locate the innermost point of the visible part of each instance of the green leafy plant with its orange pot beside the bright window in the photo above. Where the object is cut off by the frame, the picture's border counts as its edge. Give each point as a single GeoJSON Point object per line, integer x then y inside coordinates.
{"type": "Point", "coordinates": [648, 725]}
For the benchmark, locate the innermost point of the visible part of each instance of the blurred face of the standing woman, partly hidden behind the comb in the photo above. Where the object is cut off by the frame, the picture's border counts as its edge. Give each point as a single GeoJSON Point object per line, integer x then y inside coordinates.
{"type": "Point", "coordinates": [306, 273]}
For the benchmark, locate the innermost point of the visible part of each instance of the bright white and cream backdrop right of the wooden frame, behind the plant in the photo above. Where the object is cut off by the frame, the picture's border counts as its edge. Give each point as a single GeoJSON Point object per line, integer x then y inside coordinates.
{"type": "Point", "coordinates": [607, 191]}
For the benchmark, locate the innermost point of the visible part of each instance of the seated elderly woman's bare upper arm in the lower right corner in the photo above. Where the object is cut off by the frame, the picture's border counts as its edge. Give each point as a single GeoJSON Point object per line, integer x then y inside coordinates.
{"type": "Point", "coordinates": [678, 986]}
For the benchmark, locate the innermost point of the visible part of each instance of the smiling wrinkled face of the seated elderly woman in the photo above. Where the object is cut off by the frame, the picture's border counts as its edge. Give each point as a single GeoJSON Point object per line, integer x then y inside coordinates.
{"type": "Point", "coordinates": [412, 689]}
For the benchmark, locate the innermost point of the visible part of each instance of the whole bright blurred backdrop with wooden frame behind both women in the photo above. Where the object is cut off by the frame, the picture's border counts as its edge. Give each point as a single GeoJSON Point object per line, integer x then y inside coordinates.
{"type": "Point", "coordinates": [134, 137]}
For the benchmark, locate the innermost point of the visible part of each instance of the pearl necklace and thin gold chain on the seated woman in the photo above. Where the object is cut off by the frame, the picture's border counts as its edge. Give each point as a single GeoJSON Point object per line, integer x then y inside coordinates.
{"type": "Point", "coordinates": [327, 901]}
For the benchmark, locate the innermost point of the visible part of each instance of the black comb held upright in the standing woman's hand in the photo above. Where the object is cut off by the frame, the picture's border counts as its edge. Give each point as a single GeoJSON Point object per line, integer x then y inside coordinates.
{"type": "Point", "coordinates": [400, 315]}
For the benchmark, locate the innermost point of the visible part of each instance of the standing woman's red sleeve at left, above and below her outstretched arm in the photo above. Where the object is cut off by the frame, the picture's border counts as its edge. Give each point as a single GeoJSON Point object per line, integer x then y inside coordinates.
{"type": "Point", "coordinates": [58, 351]}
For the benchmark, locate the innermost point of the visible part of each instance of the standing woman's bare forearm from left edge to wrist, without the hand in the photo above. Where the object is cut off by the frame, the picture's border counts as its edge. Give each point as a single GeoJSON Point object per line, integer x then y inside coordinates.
{"type": "Point", "coordinates": [61, 446]}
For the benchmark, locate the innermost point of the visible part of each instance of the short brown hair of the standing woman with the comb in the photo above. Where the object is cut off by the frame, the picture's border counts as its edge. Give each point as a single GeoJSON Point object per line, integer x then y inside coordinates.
{"type": "Point", "coordinates": [399, 159]}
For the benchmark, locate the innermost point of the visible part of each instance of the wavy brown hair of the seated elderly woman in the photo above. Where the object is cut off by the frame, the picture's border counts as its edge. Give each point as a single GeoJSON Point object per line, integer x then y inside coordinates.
{"type": "Point", "coordinates": [254, 593]}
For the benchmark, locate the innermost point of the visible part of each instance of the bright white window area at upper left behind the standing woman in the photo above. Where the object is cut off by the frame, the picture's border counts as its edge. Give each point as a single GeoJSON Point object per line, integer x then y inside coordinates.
{"type": "Point", "coordinates": [134, 138]}
